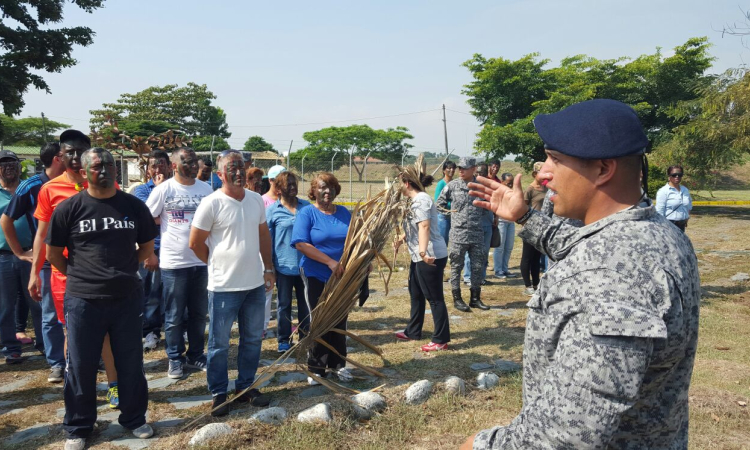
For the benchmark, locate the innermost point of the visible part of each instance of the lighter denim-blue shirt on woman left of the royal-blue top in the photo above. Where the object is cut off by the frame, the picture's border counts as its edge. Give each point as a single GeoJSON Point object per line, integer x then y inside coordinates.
{"type": "Point", "coordinates": [286, 259]}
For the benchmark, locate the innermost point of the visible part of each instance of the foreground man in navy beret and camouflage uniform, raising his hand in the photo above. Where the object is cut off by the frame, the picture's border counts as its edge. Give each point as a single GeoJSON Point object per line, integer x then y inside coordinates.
{"type": "Point", "coordinates": [612, 331]}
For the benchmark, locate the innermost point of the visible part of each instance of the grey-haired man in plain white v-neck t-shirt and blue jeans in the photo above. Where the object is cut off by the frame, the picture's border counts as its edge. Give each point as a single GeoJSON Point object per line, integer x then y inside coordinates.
{"type": "Point", "coordinates": [229, 233]}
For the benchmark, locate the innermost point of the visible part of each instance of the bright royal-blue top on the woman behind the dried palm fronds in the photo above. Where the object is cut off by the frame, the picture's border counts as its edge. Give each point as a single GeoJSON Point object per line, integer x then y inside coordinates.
{"type": "Point", "coordinates": [326, 233]}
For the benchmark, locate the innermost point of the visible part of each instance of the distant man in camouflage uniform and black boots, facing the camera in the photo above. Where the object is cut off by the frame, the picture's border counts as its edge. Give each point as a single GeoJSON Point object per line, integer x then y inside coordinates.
{"type": "Point", "coordinates": [466, 234]}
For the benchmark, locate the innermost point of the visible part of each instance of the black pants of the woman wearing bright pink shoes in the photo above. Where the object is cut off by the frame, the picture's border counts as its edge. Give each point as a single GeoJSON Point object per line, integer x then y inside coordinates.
{"type": "Point", "coordinates": [426, 282]}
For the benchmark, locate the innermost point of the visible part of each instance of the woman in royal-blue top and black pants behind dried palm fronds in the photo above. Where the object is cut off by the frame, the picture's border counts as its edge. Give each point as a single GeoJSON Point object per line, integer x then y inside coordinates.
{"type": "Point", "coordinates": [319, 234]}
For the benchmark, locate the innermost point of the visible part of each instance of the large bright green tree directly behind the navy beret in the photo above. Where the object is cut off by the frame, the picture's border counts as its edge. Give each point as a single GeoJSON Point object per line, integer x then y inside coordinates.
{"type": "Point", "coordinates": [506, 95]}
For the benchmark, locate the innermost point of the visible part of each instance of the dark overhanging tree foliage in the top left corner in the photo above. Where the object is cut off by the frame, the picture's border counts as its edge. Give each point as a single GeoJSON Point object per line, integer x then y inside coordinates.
{"type": "Point", "coordinates": [34, 46]}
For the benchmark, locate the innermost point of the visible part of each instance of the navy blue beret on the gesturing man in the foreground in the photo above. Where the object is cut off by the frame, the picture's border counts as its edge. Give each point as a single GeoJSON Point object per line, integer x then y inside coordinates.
{"type": "Point", "coordinates": [594, 129]}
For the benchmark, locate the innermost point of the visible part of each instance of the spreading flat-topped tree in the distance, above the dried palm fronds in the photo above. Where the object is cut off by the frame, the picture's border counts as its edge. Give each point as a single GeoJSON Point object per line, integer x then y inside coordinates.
{"type": "Point", "coordinates": [387, 145]}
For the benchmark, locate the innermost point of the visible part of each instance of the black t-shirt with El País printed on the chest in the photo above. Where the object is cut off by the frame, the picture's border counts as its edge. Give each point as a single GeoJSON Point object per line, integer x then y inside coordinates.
{"type": "Point", "coordinates": [100, 235]}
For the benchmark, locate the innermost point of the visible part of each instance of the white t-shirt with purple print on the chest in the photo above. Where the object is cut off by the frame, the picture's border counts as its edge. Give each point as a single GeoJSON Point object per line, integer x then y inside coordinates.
{"type": "Point", "coordinates": [175, 205]}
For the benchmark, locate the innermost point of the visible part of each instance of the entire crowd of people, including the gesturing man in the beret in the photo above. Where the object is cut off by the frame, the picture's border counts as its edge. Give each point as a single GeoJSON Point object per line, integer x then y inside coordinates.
{"type": "Point", "coordinates": [612, 326]}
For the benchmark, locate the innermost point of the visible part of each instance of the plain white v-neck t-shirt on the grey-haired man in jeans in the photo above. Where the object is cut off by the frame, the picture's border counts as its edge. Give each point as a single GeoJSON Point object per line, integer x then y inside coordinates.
{"type": "Point", "coordinates": [234, 262]}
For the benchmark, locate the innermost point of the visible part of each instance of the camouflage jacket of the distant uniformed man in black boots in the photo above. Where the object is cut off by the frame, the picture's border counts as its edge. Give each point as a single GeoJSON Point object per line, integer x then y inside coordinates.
{"type": "Point", "coordinates": [466, 219]}
